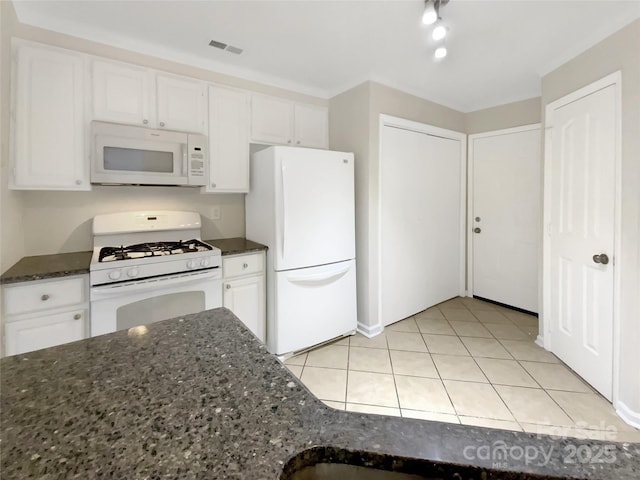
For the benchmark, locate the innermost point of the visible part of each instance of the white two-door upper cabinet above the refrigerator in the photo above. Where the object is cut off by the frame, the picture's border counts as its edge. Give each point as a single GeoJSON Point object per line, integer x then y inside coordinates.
{"type": "Point", "coordinates": [283, 122]}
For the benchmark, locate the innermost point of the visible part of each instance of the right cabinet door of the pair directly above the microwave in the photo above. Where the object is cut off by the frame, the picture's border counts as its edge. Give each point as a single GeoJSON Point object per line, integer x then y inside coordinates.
{"type": "Point", "coordinates": [181, 104]}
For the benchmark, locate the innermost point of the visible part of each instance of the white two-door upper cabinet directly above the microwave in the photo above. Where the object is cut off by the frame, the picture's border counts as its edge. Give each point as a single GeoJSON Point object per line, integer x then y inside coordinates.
{"type": "Point", "coordinates": [124, 93]}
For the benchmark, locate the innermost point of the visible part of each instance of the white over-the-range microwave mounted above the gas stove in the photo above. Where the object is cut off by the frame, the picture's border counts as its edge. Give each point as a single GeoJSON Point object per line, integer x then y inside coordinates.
{"type": "Point", "coordinates": [124, 154]}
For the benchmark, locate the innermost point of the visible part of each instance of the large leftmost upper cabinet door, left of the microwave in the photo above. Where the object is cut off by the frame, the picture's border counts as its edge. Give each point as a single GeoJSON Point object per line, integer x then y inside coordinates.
{"type": "Point", "coordinates": [48, 120]}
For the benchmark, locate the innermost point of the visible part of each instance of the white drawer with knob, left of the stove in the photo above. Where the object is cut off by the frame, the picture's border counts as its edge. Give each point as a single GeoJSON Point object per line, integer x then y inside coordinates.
{"type": "Point", "coordinates": [40, 295]}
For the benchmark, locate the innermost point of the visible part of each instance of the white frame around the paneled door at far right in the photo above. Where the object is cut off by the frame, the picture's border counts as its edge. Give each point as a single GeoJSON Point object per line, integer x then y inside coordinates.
{"type": "Point", "coordinates": [545, 337]}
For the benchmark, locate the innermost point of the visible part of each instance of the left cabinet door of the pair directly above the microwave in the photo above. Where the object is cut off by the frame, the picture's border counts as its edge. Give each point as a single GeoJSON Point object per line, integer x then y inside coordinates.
{"type": "Point", "coordinates": [122, 93]}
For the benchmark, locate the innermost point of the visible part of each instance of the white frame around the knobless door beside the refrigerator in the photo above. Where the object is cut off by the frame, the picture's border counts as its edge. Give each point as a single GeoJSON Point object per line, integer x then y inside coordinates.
{"type": "Point", "coordinates": [391, 121]}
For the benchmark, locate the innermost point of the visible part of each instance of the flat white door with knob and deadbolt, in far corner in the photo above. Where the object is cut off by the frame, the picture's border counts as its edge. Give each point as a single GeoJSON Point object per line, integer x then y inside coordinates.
{"type": "Point", "coordinates": [505, 216]}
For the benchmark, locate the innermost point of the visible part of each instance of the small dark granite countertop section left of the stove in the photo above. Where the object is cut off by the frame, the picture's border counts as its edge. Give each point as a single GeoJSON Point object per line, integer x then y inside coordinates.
{"type": "Point", "coordinates": [47, 266]}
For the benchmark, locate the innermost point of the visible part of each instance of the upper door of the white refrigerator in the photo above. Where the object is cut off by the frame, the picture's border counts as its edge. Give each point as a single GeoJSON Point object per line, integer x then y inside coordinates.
{"type": "Point", "coordinates": [315, 208]}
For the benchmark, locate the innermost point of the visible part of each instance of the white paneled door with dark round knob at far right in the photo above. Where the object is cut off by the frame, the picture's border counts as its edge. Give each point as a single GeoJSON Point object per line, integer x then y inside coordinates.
{"type": "Point", "coordinates": [581, 208]}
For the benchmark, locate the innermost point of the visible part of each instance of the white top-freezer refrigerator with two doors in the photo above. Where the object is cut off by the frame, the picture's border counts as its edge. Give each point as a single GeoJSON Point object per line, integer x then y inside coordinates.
{"type": "Point", "coordinates": [301, 205]}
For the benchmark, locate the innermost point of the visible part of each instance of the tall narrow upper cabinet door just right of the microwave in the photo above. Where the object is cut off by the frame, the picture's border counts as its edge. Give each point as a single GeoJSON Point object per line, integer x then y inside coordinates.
{"type": "Point", "coordinates": [228, 140]}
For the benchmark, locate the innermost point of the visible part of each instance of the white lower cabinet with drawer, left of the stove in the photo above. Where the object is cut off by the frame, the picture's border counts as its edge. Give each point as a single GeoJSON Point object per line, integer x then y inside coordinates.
{"type": "Point", "coordinates": [45, 313]}
